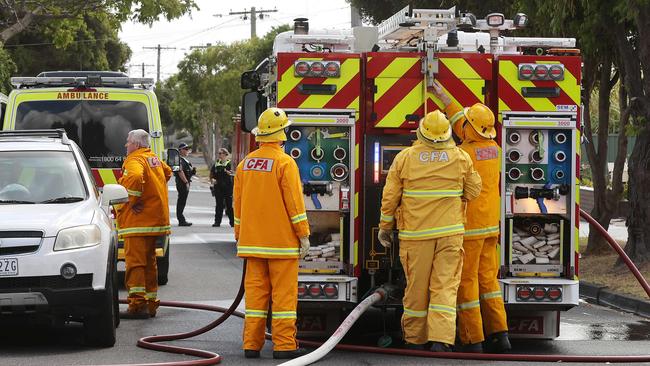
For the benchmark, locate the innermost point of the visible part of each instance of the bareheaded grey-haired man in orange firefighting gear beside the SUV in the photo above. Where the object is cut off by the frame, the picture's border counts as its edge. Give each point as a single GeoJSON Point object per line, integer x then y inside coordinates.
{"type": "Point", "coordinates": [141, 221]}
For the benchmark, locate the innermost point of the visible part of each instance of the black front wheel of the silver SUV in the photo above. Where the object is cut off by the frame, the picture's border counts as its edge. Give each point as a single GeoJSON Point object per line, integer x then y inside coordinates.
{"type": "Point", "coordinates": [99, 328]}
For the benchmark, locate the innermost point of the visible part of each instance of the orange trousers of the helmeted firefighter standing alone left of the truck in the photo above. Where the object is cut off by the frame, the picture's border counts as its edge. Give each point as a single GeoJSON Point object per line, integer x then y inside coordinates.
{"type": "Point", "coordinates": [275, 280]}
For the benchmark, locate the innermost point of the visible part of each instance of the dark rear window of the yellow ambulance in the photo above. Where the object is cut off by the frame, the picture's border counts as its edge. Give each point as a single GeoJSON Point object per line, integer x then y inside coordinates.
{"type": "Point", "coordinates": [98, 127]}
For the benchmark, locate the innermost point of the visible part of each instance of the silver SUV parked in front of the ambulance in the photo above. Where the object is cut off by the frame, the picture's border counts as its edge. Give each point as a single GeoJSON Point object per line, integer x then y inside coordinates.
{"type": "Point", "coordinates": [58, 243]}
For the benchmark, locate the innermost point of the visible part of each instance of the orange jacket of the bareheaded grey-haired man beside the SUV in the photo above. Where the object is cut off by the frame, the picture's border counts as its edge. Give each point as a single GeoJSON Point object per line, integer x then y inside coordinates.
{"type": "Point", "coordinates": [145, 178]}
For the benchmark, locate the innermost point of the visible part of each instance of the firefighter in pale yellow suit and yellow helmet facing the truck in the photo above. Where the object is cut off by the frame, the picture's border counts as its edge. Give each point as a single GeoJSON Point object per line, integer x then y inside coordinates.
{"type": "Point", "coordinates": [425, 191]}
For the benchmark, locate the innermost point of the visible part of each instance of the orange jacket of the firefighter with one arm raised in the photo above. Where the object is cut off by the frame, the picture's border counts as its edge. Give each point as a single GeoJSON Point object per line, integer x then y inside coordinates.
{"type": "Point", "coordinates": [483, 212]}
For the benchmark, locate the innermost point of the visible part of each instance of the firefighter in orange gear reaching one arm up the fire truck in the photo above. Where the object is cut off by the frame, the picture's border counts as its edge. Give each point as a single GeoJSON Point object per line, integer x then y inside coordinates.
{"type": "Point", "coordinates": [480, 305]}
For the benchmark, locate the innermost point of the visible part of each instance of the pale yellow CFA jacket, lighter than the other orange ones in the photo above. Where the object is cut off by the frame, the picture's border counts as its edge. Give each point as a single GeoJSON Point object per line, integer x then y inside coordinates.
{"type": "Point", "coordinates": [424, 191]}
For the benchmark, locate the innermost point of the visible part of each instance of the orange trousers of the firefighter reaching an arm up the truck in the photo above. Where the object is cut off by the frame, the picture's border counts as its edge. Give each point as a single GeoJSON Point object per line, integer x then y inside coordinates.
{"type": "Point", "coordinates": [480, 304]}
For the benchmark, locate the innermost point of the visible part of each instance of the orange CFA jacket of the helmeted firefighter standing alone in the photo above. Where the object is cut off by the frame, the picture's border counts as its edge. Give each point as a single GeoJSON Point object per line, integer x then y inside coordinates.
{"type": "Point", "coordinates": [269, 205]}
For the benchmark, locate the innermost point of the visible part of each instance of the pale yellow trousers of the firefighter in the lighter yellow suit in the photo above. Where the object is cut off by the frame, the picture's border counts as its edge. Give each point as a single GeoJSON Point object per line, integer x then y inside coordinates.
{"type": "Point", "coordinates": [432, 269]}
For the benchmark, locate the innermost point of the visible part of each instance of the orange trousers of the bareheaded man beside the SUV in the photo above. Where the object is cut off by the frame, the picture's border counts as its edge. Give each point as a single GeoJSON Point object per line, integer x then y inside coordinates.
{"type": "Point", "coordinates": [141, 275]}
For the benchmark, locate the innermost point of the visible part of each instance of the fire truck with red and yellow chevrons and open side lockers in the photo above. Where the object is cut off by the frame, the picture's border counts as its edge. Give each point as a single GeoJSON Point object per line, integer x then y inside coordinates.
{"type": "Point", "coordinates": [356, 97]}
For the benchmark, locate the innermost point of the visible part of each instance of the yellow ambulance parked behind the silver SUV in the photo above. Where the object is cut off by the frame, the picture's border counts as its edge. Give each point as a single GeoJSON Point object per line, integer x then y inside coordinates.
{"type": "Point", "coordinates": [96, 109]}
